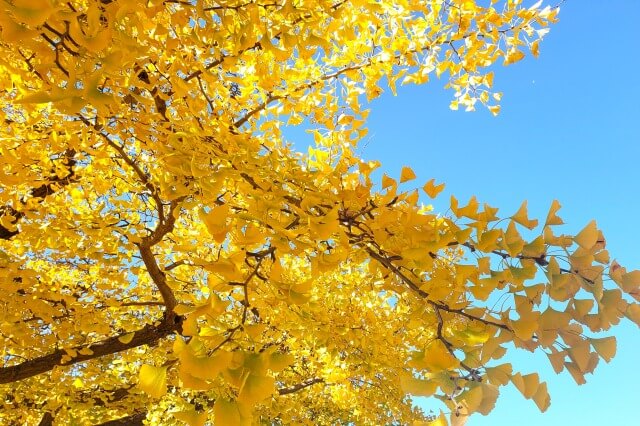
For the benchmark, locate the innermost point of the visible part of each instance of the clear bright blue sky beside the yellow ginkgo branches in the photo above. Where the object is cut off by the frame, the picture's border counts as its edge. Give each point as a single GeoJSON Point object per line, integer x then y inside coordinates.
{"type": "Point", "coordinates": [569, 130]}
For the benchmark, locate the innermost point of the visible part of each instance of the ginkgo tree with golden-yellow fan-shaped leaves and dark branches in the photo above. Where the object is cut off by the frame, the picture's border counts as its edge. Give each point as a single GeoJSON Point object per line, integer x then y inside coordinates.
{"type": "Point", "coordinates": [168, 257]}
